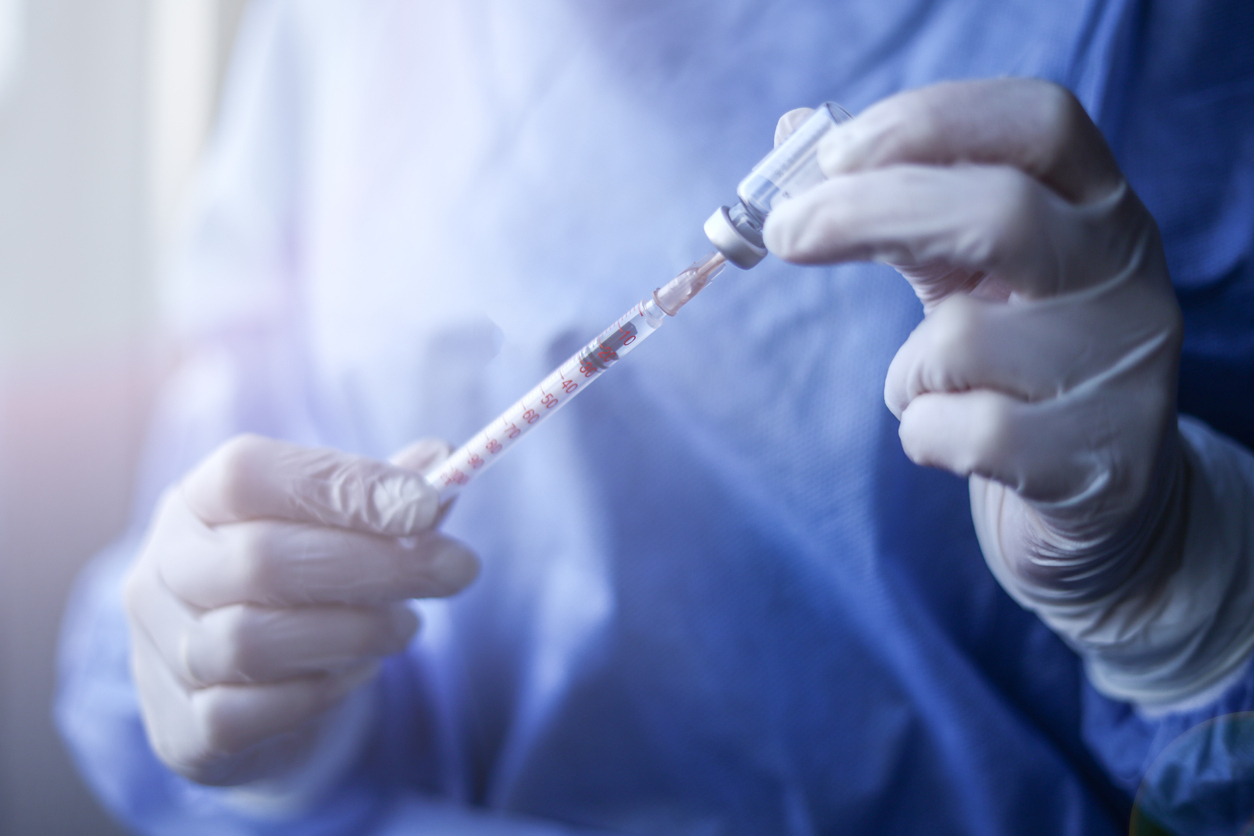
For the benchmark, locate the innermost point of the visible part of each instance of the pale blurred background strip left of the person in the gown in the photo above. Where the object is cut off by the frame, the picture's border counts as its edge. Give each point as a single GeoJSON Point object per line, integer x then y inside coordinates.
{"type": "Point", "coordinates": [103, 111]}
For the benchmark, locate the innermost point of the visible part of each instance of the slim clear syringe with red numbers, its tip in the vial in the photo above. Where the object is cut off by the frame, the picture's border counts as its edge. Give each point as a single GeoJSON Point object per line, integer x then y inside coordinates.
{"type": "Point", "coordinates": [571, 378]}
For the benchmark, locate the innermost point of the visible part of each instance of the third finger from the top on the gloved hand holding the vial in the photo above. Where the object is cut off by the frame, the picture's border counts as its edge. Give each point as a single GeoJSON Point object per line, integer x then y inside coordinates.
{"type": "Point", "coordinates": [1033, 350]}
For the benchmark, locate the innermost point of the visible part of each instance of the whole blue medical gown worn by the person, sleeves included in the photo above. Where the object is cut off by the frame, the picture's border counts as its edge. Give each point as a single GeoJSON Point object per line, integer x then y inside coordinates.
{"type": "Point", "coordinates": [717, 596]}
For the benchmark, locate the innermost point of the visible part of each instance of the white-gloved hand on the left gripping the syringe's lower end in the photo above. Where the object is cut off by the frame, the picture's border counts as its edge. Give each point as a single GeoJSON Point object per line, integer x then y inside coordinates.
{"type": "Point", "coordinates": [269, 586]}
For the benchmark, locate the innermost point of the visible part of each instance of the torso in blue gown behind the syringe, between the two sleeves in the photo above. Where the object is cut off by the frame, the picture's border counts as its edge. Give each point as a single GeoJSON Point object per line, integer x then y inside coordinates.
{"type": "Point", "coordinates": [717, 597]}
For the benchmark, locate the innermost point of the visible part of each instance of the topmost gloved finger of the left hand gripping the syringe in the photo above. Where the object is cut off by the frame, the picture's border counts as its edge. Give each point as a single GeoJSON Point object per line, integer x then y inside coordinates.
{"type": "Point", "coordinates": [253, 478]}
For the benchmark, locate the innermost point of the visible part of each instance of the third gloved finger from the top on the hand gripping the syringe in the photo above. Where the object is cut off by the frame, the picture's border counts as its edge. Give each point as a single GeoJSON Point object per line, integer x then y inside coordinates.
{"type": "Point", "coordinates": [244, 644]}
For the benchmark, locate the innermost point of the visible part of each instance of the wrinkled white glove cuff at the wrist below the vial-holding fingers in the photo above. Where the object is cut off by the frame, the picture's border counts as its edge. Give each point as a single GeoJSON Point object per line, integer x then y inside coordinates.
{"type": "Point", "coordinates": [1164, 611]}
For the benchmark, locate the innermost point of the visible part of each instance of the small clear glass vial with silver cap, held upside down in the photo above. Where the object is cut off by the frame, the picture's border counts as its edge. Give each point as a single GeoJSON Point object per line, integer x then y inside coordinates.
{"type": "Point", "coordinates": [789, 170]}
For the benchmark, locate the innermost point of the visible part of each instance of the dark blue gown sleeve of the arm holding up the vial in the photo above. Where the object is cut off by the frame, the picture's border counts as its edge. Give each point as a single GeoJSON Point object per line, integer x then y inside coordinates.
{"type": "Point", "coordinates": [1183, 136]}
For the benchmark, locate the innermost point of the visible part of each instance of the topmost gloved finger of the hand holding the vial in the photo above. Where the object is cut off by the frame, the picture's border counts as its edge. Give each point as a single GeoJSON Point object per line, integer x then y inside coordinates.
{"type": "Point", "coordinates": [1034, 126]}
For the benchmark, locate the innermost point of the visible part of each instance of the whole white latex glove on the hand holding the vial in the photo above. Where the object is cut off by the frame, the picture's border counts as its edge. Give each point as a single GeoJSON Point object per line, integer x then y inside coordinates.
{"type": "Point", "coordinates": [1045, 367]}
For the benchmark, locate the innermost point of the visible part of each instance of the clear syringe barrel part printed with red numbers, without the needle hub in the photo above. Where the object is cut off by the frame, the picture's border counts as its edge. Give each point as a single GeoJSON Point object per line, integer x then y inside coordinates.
{"type": "Point", "coordinates": [546, 399]}
